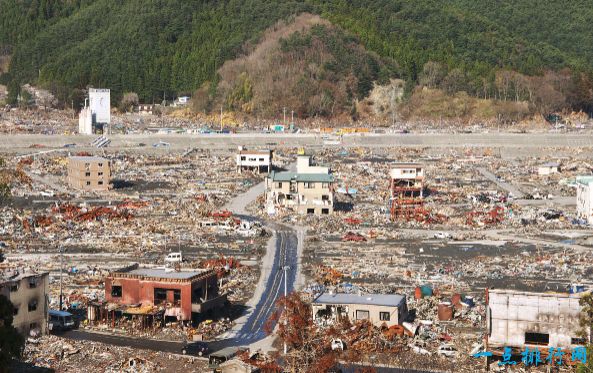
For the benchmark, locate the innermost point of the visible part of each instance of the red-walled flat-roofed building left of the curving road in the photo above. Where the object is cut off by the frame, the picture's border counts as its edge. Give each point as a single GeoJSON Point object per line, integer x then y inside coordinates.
{"type": "Point", "coordinates": [182, 294]}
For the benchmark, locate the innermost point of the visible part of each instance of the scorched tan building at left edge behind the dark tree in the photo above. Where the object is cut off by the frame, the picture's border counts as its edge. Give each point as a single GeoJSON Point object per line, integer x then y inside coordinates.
{"type": "Point", "coordinates": [28, 294]}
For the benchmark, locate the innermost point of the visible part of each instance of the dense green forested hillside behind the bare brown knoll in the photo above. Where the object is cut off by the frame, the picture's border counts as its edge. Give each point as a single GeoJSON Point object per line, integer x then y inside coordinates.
{"type": "Point", "coordinates": [155, 47]}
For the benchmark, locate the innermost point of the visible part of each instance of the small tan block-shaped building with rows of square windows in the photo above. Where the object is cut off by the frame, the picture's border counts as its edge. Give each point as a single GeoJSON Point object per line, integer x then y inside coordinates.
{"type": "Point", "coordinates": [89, 173]}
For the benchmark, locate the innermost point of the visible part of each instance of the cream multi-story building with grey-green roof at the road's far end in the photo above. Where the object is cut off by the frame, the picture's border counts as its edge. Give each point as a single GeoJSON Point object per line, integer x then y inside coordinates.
{"type": "Point", "coordinates": [310, 190]}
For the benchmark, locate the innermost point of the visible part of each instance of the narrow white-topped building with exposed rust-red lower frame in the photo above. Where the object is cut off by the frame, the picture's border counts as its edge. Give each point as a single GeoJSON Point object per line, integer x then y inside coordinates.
{"type": "Point", "coordinates": [406, 189]}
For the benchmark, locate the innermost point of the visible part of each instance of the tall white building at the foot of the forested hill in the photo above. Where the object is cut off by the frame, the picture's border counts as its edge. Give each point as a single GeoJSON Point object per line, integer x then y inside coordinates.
{"type": "Point", "coordinates": [94, 117]}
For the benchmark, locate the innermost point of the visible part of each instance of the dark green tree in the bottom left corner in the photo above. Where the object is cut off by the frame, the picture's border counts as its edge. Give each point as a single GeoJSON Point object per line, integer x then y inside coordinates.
{"type": "Point", "coordinates": [11, 341]}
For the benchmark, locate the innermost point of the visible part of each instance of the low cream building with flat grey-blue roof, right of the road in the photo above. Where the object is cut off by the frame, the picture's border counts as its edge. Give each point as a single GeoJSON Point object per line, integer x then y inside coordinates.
{"type": "Point", "coordinates": [379, 309]}
